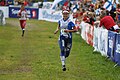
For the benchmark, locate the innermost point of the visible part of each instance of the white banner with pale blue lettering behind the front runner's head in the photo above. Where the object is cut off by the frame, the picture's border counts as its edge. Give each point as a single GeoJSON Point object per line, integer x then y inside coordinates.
{"type": "Point", "coordinates": [49, 15]}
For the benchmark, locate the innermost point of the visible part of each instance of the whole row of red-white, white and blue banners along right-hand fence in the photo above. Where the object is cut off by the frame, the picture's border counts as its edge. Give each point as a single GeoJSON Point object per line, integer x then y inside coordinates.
{"type": "Point", "coordinates": [104, 41]}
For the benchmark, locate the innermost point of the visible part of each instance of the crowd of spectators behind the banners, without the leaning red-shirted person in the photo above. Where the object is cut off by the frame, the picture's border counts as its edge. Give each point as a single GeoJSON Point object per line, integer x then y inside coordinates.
{"type": "Point", "coordinates": [82, 10]}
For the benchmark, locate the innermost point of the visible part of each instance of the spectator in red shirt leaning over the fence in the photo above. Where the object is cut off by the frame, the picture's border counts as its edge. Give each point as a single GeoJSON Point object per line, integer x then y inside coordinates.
{"type": "Point", "coordinates": [108, 22]}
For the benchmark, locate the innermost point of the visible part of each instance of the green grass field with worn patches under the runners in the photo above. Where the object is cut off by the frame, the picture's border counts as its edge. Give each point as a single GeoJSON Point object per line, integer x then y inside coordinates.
{"type": "Point", "coordinates": [36, 55]}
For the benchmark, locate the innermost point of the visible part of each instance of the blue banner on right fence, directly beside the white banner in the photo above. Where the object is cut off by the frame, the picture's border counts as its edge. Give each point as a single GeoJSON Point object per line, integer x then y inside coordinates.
{"type": "Point", "coordinates": [111, 43]}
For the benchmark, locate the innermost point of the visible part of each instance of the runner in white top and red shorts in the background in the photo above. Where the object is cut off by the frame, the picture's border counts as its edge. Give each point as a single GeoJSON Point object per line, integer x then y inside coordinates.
{"type": "Point", "coordinates": [22, 14]}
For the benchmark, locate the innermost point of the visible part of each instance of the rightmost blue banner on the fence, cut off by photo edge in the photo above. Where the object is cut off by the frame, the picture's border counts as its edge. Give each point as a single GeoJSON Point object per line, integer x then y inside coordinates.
{"type": "Point", "coordinates": [117, 50]}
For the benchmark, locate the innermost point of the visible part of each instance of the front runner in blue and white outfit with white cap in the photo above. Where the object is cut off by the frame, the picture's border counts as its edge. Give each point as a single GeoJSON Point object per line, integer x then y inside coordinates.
{"type": "Point", "coordinates": [66, 27]}
